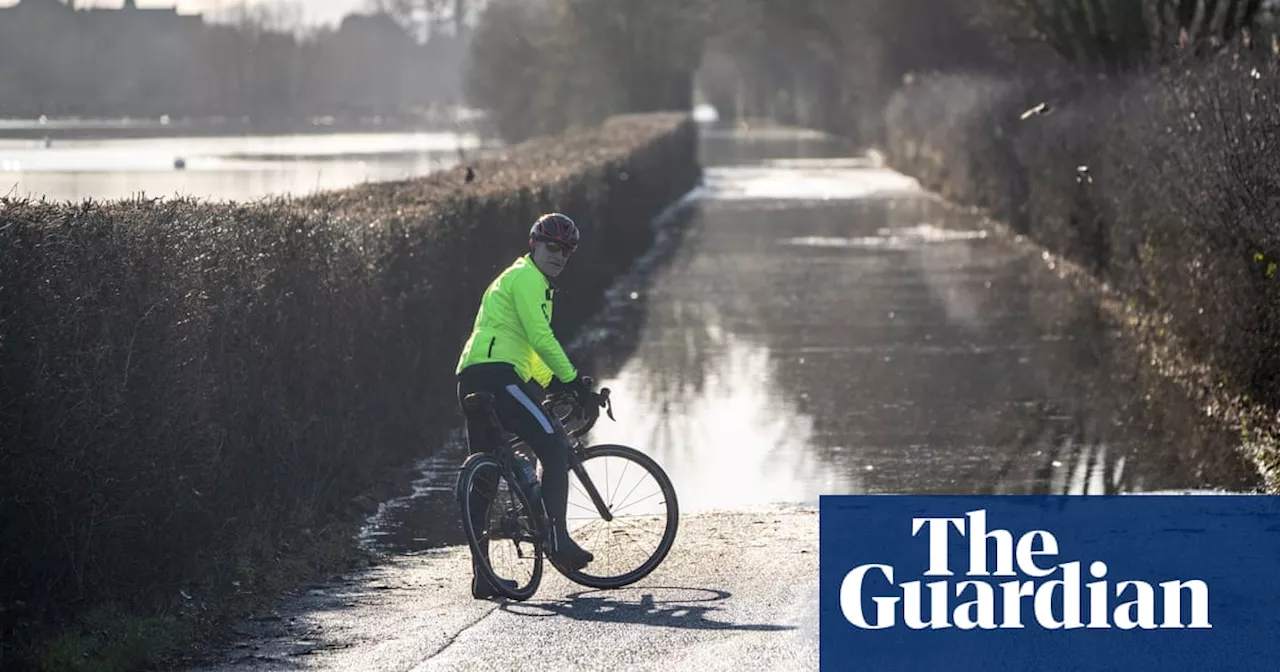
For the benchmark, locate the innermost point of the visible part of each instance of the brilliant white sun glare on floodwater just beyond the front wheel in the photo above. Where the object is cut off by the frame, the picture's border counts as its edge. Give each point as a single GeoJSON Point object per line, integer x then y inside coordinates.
{"type": "Point", "coordinates": [735, 442]}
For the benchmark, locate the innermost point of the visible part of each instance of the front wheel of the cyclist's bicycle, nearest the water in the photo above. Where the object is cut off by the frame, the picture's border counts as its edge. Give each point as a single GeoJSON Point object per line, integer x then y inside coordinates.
{"type": "Point", "coordinates": [643, 515]}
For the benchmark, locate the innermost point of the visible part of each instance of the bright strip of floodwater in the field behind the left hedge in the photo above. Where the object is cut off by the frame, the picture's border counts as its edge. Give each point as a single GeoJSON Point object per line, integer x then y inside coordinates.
{"type": "Point", "coordinates": [222, 168]}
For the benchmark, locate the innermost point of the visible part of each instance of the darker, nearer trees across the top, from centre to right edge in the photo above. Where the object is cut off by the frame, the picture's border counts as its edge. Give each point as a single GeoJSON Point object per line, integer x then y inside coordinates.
{"type": "Point", "coordinates": [548, 65]}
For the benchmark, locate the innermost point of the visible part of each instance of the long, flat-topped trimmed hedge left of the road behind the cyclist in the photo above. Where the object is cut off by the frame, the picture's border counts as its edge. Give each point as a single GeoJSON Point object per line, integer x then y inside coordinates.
{"type": "Point", "coordinates": [189, 388]}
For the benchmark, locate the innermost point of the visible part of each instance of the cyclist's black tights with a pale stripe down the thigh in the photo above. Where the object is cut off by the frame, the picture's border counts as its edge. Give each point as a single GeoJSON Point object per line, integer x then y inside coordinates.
{"type": "Point", "coordinates": [519, 412]}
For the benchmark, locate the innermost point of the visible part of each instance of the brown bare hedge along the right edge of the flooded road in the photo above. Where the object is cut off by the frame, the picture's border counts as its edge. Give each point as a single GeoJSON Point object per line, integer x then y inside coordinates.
{"type": "Point", "coordinates": [1162, 186]}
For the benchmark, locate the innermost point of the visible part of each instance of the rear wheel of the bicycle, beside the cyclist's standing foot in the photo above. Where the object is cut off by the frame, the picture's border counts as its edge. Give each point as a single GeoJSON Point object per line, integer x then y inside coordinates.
{"type": "Point", "coordinates": [508, 543]}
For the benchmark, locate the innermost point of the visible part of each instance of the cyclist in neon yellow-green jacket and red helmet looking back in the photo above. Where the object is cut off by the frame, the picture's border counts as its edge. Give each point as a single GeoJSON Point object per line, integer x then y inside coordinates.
{"type": "Point", "coordinates": [514, 355]}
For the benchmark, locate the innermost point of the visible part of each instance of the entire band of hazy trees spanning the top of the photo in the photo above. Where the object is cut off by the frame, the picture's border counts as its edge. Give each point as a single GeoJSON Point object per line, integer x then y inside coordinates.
{"type": "Point", "coordinates": [545, 66]}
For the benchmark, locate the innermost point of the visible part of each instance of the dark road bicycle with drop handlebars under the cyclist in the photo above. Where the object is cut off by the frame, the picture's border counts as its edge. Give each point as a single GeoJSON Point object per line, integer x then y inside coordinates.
{"type": "Point", "coordinates": [523, 524]}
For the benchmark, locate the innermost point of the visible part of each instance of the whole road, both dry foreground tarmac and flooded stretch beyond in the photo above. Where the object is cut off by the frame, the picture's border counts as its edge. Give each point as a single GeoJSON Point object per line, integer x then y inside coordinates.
{"type": "Point", "coordinates": [808, 324]}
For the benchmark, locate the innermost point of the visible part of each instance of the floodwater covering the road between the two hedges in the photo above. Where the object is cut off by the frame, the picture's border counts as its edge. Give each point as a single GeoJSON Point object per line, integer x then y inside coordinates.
{"type": "Point", "coordinates": [812, 324]}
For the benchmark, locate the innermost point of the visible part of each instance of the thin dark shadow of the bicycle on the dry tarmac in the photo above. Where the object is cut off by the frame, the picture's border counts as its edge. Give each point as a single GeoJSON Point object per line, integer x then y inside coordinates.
{"type": "Point", "coordinates": [647, 610]}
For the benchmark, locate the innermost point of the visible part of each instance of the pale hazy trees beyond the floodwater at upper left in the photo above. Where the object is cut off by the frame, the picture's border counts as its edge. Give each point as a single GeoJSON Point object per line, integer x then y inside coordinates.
{"type": "Point", "coordinates": [259, 63]}
